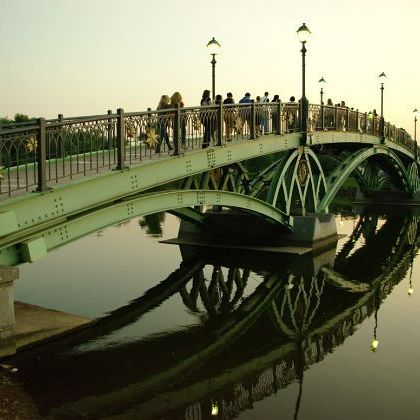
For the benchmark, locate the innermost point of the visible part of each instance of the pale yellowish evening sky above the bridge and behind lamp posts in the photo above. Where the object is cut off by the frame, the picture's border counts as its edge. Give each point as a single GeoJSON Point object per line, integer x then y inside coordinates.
{"type": "Point", "coordinates": [83, 57]}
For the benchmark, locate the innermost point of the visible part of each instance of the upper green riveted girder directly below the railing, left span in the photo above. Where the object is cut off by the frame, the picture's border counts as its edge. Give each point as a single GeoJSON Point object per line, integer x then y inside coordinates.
{"type": "Point", "coordinates": [40, 209]}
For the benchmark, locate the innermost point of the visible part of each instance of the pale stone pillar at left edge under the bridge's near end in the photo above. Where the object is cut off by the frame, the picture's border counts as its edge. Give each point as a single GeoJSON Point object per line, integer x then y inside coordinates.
{"type": "Point", "coordinates": [7, 311]}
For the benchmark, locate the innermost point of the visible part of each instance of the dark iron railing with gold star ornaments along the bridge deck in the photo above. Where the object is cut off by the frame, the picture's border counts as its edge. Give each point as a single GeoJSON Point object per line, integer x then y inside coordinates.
{"type": "Point", "coordinates": [49, 151]}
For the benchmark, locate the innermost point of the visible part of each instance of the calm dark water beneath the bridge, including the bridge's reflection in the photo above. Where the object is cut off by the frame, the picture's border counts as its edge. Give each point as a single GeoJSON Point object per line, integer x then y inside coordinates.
{"type": "Point", "coordinates": [194, 334]}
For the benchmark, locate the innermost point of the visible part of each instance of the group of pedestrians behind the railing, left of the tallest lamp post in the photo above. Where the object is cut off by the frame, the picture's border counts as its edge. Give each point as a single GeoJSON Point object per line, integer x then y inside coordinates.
{"type": "Point", "coordinates": [233, 118]}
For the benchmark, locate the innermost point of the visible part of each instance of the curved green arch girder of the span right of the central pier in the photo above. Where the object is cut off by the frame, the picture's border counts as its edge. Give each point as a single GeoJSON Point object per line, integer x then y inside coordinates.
{"type": "Point", "coordinates": [344, 170]}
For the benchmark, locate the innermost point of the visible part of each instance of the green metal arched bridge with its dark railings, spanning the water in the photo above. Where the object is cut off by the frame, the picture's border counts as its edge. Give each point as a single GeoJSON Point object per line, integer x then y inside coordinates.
{"type": "Point", "coordinates": [63, 178]}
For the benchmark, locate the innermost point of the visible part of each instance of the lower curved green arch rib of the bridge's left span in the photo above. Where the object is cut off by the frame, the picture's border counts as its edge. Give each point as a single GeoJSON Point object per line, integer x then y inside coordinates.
{"type": "Point", "coordinates": [91, 221]}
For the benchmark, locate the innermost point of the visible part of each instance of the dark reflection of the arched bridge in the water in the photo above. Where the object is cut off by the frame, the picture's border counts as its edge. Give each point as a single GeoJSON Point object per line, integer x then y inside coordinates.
{"type": "Point", "coordinates": [248, 343]}
